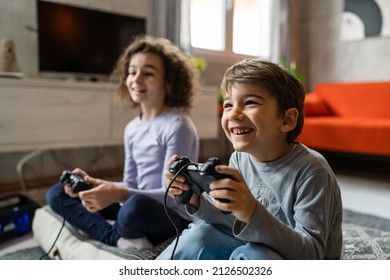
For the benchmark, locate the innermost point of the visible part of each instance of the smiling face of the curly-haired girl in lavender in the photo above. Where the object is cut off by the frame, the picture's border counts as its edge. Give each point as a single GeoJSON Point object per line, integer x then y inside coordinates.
{"type": "Point", "coordinates": [145, 80]}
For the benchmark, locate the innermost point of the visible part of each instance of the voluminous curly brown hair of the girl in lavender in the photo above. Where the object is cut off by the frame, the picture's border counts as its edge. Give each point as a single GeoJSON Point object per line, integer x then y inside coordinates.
{"type": "Point", "coordinates": [180, 76]}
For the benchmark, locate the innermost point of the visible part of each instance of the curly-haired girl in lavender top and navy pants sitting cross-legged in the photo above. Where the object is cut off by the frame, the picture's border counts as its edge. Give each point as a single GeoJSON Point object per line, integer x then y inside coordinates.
{"type": "Point", "coordinates": [159, 78]}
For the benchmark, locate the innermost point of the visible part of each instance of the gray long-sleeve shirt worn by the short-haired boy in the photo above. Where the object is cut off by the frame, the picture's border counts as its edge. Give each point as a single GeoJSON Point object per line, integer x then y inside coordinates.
{"type": "Point", "coordinates": [299, 209]}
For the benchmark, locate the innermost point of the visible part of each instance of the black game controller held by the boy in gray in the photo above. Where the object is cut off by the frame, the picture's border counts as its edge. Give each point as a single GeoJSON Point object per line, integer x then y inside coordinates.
{"type": "Point", "coordinates": [198, 176]}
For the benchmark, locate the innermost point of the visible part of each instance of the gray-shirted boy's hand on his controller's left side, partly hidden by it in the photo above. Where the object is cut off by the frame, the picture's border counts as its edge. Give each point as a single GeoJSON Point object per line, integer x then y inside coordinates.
{"type": "Point", "coordinates": [178, 186]}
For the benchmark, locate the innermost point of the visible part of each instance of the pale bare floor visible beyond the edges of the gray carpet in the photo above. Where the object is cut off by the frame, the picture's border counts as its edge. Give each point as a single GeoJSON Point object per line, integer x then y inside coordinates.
{"type": "Point", "coordinates": [362, 192]}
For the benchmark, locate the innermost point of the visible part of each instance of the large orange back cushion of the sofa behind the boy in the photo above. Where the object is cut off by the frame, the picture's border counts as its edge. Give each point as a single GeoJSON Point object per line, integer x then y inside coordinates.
{"type": "Point", "coordinates": [367, 100]}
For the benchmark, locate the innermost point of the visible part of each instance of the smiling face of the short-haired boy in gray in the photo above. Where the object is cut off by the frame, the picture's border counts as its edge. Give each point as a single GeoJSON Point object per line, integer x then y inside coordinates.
{"type": "Point", "coordinates": [253, 124]}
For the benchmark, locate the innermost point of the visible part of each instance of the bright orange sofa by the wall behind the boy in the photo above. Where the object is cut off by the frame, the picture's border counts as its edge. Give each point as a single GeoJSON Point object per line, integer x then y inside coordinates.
{"type": "Point", "coordinates": [348, 117]}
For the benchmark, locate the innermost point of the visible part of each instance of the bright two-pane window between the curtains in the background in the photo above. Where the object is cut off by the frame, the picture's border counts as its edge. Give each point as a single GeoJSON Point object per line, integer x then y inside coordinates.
{"type": "Point", "coordinates": [230, 27]}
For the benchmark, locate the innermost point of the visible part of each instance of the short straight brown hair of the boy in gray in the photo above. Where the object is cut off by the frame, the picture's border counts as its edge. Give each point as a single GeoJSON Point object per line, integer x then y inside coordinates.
{"type": "Point", "coordinates": [284, 86]}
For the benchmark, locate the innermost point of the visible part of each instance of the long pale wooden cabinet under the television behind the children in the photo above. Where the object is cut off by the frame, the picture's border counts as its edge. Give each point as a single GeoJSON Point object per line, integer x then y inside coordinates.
{"type": "Point", "coordinates": [50, 114]}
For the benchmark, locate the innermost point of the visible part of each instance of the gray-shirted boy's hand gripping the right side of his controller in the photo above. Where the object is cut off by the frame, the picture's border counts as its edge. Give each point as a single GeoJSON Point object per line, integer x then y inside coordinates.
{"type": "Point", "coordinates": [241, 201]}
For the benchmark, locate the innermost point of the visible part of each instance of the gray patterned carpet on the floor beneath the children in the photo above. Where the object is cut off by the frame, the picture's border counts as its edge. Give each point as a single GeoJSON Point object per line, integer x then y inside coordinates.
{"type": "Point", "coordinates": [366, 237]}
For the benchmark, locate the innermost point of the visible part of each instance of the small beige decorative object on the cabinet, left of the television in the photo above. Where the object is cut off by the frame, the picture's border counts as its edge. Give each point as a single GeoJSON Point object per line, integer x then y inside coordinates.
{"type": "Point", "coordinates": [8, 62]}
